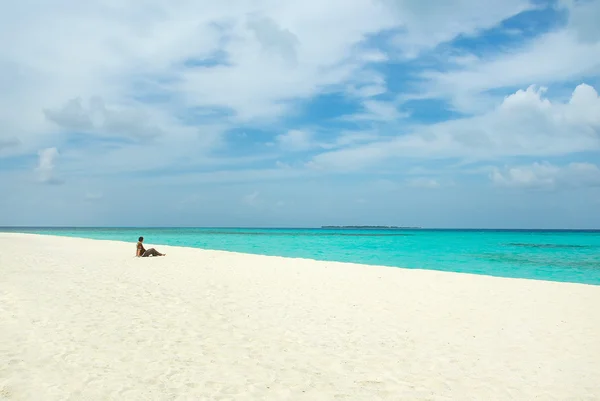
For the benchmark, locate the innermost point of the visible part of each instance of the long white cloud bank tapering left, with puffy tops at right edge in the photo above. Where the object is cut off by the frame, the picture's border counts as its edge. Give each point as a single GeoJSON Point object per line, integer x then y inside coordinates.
{"type": "Point", "coordinates": [524, 124]}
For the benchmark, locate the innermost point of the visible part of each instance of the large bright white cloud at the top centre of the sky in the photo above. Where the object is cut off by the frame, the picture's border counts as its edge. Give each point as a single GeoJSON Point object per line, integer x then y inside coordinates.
{"type": "Point", "coordinates": [302, 58]}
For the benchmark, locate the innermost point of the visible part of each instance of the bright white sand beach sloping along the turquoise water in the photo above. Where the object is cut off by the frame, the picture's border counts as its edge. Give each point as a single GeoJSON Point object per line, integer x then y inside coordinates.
{"type": "Point", "coordinates": [85, 320]}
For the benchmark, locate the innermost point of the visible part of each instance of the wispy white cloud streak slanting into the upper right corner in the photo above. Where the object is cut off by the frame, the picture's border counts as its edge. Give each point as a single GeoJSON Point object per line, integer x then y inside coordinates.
{"type": "Point", "coordinates": [570, 53]}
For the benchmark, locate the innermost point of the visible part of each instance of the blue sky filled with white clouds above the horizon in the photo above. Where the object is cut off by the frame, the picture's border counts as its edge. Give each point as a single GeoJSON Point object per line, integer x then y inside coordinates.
{"type": "Point", "coordinates": [265, 113]}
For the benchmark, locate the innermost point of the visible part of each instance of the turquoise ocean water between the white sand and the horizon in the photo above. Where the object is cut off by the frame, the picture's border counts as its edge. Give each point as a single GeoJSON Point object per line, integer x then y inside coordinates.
{"type": "Point", "coordinates": [568, 256]}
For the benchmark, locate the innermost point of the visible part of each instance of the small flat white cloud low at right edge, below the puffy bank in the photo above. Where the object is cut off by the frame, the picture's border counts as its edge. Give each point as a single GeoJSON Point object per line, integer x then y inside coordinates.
{"type": "Point", "coordinates": [547, 176]}
